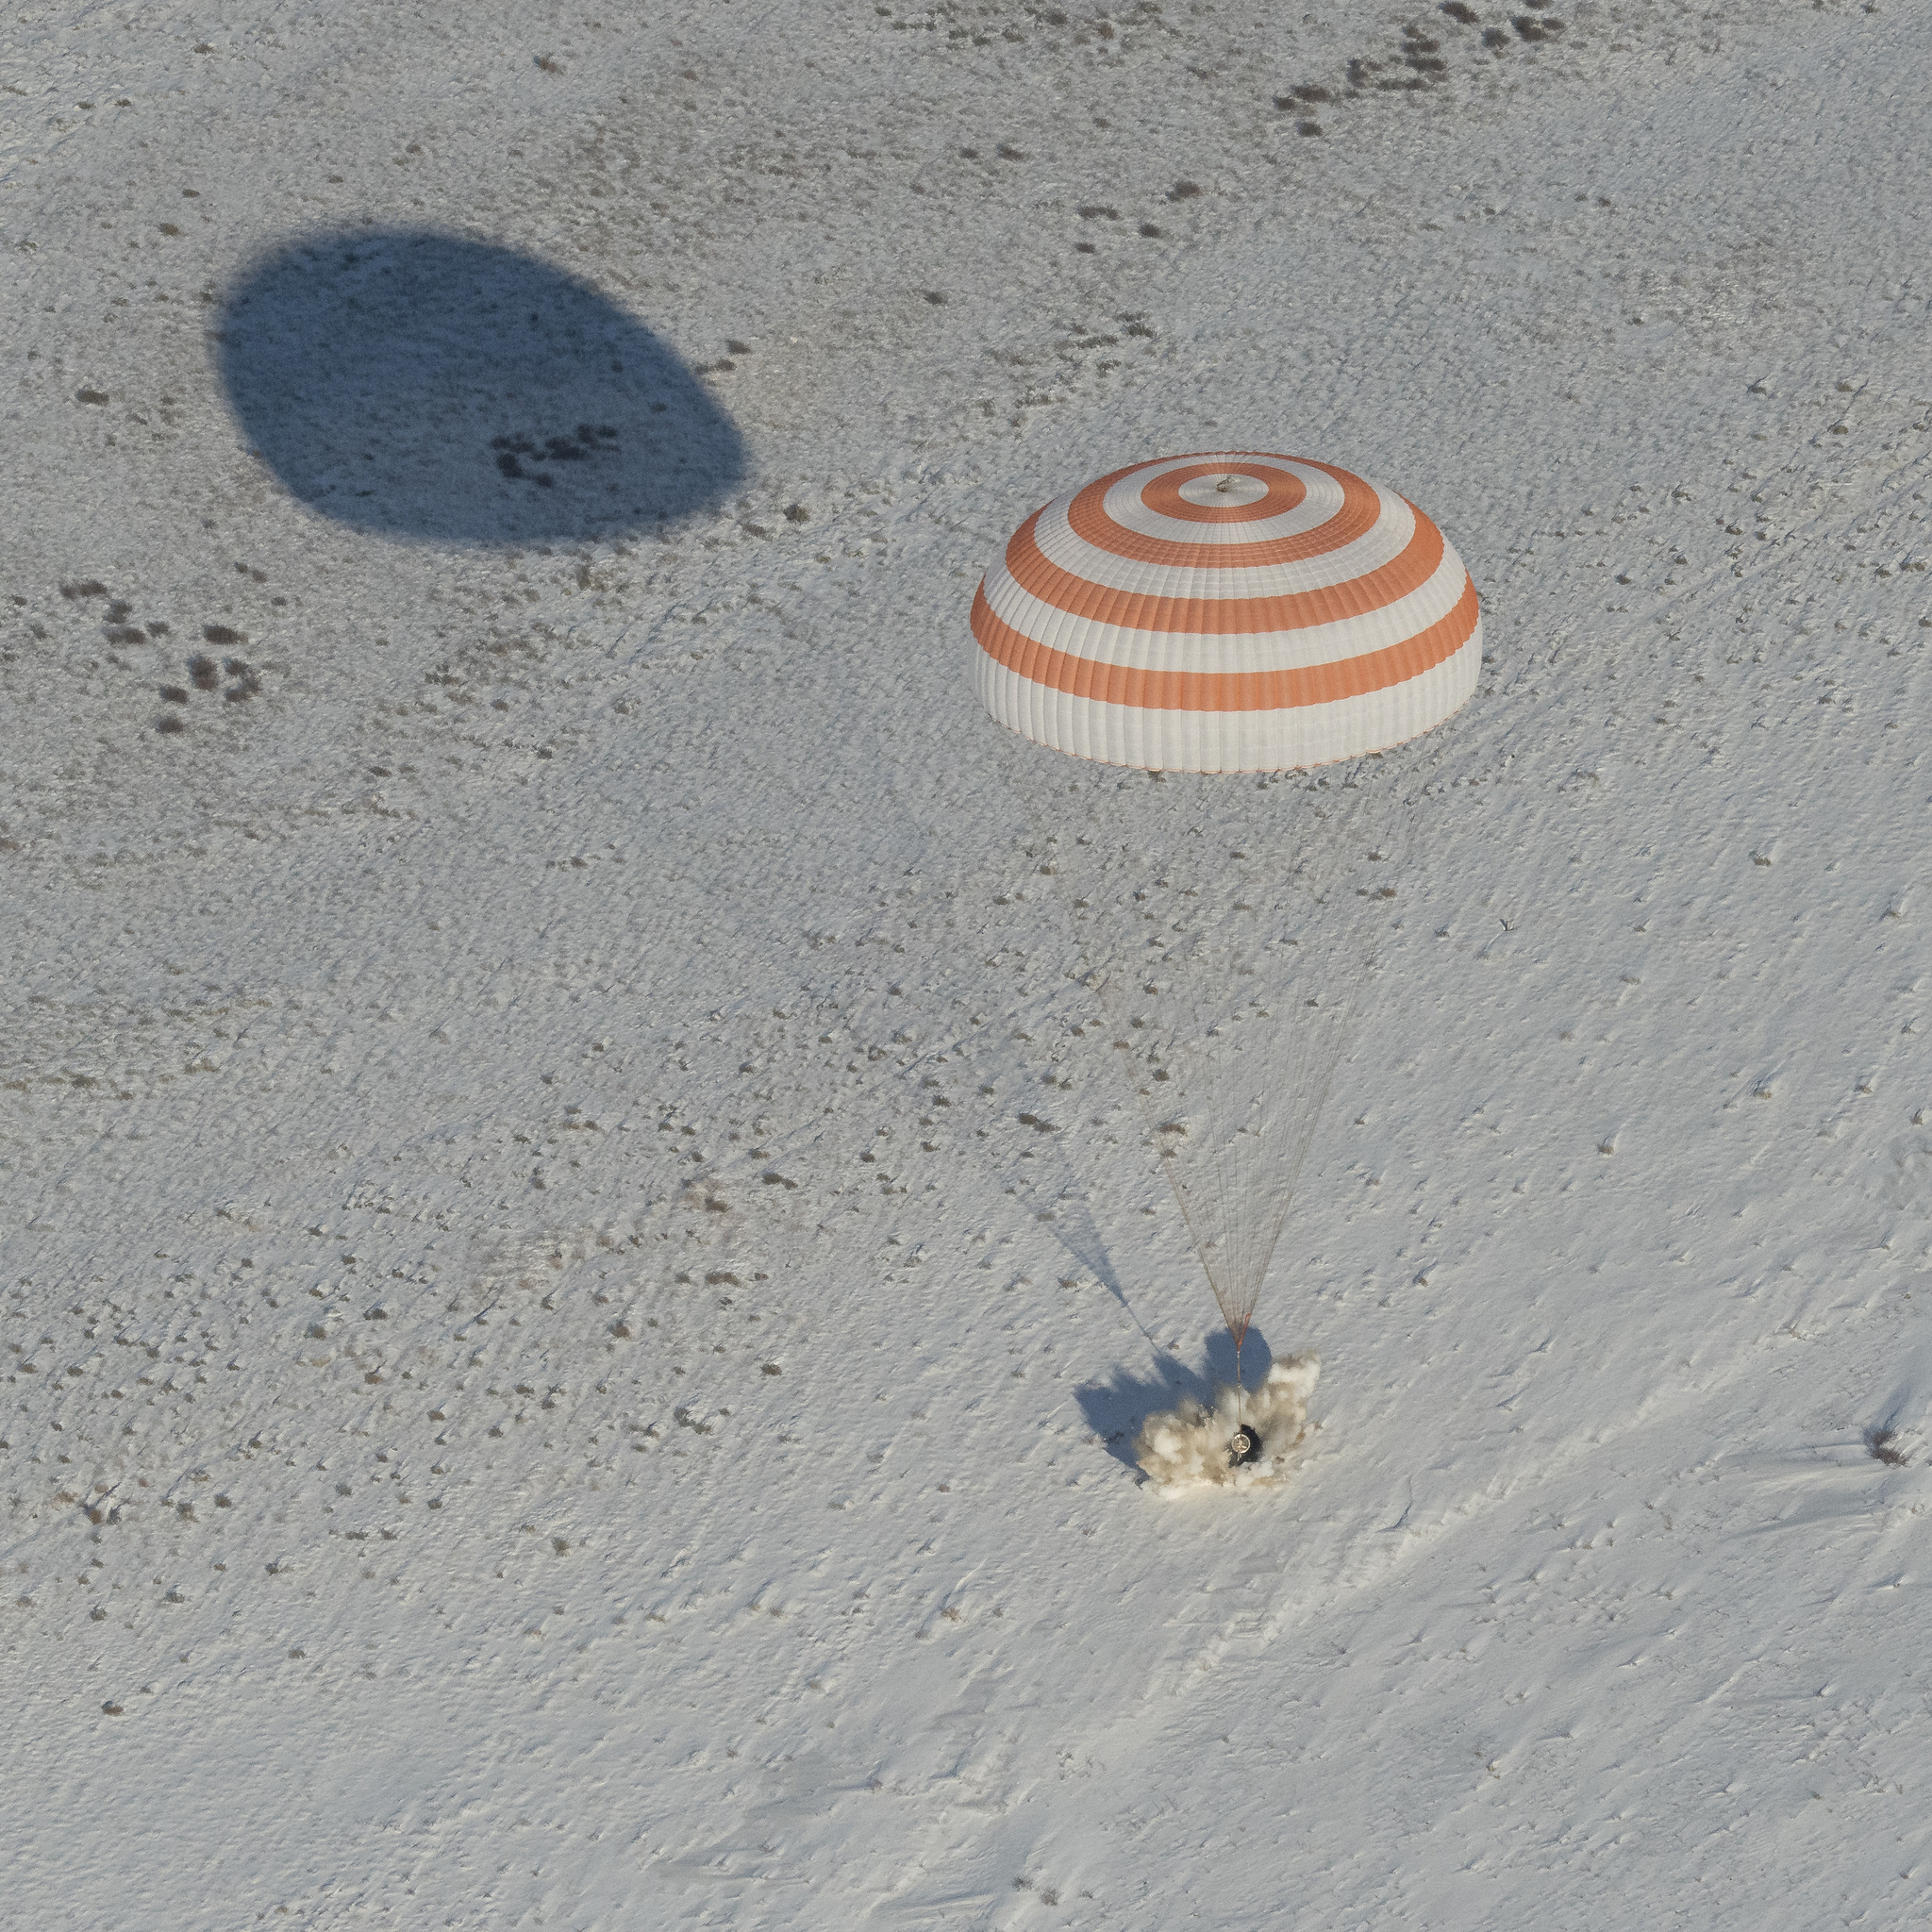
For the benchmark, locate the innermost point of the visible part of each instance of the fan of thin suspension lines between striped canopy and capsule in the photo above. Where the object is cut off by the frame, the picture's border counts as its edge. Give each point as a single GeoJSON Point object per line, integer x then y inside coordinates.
{"type": "Point", "coordinates": [1245, 1029]}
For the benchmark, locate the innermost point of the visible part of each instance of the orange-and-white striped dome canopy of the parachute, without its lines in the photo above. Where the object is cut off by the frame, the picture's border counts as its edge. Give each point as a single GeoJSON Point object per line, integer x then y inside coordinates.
{"type": "Point", "coordinates": [1228, 613]}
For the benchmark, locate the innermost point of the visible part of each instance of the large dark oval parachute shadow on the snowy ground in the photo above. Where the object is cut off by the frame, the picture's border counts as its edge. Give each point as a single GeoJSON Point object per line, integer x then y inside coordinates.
{"type": "Point", "coordinates": [420, 385]}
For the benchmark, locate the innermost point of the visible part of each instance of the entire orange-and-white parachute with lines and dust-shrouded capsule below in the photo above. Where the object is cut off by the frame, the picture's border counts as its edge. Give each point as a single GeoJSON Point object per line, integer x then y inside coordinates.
{"type": "Point", "coordinates": [1216, 615]}
